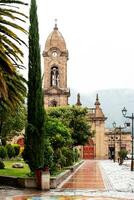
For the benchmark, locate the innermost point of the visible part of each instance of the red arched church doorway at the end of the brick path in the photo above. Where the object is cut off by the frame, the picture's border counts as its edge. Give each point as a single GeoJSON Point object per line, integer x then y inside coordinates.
{"type": "Point", "coordinates": [89, 150]}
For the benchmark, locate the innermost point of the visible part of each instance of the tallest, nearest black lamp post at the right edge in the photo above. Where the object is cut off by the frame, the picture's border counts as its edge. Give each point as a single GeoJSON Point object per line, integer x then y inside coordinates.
{"type": "Point", "coordinates": [124, 112]}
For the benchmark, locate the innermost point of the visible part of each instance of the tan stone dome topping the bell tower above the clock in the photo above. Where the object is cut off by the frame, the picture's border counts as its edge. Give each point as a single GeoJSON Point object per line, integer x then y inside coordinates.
{"type": "Point", "coordinates": [55, 39]}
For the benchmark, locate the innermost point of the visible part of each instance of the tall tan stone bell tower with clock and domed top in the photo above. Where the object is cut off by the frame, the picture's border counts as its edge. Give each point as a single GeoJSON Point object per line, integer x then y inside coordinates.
{"type": "Point", "coordinates": [55, 56]}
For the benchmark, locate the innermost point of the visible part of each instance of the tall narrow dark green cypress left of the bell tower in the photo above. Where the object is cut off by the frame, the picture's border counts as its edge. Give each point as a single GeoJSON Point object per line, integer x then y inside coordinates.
{"type": "Point", "coordinates": [35, 130]}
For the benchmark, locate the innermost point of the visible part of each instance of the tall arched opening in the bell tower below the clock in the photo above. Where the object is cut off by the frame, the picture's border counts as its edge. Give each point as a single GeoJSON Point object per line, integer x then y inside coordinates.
{"type": "Point", "coordinates": [54, 76]}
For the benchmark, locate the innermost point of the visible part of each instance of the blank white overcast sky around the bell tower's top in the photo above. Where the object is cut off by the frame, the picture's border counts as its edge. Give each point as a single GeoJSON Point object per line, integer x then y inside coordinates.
{"type": "Point", "coordinates": [99, 35]}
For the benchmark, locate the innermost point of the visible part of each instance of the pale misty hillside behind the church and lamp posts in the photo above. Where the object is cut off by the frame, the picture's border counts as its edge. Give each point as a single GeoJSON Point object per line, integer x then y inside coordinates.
{"type": "Point", "coordinates": [112, 102]}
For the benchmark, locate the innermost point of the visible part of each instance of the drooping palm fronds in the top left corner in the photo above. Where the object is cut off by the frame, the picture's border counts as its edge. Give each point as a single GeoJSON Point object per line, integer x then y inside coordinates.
{"type": "Point", "coordinates": [10, 53]}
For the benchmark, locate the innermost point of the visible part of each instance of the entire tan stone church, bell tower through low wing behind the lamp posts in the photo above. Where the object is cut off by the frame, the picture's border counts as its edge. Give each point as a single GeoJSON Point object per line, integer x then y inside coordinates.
{"type": "Point", "coordinates": [56, 93]}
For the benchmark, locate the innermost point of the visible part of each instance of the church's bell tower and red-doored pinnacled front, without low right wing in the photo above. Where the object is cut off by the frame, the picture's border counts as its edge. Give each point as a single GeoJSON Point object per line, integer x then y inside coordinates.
{"type": "Point", "coordinates": [56, 92]}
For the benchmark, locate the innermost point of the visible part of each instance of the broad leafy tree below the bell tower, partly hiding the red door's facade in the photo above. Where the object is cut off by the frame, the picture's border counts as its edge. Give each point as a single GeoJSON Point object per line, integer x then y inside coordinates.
{"type": "Point", "coordinates": [74, 118]}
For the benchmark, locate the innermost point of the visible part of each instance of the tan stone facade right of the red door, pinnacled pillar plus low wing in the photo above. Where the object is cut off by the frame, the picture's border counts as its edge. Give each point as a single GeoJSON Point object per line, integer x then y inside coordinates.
{"type": "Point", "coordinates": [107, 142]}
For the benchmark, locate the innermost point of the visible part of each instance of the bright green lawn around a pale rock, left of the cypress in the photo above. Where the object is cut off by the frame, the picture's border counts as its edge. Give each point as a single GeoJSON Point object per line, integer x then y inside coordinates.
{"type": "Point", "coordinates": [16, 172]}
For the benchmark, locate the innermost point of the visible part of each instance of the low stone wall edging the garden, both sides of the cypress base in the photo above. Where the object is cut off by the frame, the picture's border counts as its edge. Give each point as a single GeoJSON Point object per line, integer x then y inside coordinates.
{"type": "Point", "coordinates": [30, 182]}
